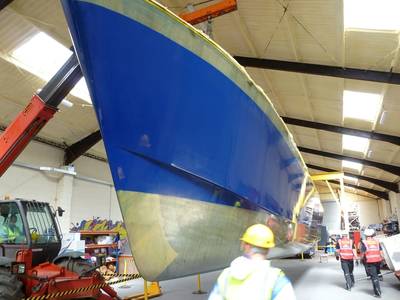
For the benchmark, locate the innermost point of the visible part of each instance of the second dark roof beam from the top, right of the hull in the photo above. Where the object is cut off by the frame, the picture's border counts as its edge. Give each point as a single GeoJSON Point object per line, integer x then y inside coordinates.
{"type": "Point", "coordinates": [344, 130]}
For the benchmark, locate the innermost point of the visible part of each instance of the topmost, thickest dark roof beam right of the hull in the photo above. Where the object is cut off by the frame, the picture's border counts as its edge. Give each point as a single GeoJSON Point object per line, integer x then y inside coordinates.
{"type": "Point", "coordinates": [322, 70]}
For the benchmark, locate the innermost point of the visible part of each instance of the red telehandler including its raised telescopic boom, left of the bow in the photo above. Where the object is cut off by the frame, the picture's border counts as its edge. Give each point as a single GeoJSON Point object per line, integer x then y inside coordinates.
{"type": "Point", "coordinates": [30, 238]}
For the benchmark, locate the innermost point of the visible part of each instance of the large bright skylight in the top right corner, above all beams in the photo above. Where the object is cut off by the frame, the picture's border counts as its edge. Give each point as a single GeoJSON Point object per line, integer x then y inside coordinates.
{"type": "Point", "coordinates": [372, 14]}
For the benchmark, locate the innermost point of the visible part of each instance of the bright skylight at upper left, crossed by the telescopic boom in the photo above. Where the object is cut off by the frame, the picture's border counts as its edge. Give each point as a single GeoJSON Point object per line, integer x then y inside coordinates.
{"type": "Point", "coordinates": [43, 56]}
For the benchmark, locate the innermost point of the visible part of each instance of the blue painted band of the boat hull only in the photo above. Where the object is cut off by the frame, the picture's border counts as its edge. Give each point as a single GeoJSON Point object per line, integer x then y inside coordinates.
{"type": "Point", "coordinates": [156, 100]}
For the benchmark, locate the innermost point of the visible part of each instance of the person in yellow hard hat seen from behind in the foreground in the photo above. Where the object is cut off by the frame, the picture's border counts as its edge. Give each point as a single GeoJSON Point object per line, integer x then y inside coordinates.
{"type": "Point", "coordinates": [251, 276]}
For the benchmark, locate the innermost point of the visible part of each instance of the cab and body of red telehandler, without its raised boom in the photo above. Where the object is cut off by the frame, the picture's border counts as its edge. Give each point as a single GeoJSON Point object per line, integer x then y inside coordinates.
{"type": "Point", "coordinates": [30, 264]}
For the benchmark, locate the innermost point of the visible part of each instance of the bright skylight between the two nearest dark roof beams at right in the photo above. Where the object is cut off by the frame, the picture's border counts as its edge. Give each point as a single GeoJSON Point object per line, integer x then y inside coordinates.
{"type": "Point", "coordinates": [363, 106]}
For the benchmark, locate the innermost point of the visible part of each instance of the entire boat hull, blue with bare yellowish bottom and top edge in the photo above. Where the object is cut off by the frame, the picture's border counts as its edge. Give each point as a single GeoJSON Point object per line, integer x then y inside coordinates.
{"type": "Point", "coordinates": [196, 150]}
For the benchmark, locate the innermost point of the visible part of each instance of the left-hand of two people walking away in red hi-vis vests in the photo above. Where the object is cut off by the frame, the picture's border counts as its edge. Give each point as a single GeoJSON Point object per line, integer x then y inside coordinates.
{"type": "Point", "coordinates": [345, 250]}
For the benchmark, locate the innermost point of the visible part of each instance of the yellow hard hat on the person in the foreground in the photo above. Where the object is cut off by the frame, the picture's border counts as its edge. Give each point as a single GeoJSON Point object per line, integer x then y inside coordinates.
{"type": "Point", "coordinates": [259, 235]}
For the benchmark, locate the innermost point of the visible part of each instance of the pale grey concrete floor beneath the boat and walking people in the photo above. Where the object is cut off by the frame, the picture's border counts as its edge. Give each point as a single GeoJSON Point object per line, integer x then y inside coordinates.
{"type": "Point", "coordinates": [311, 280]}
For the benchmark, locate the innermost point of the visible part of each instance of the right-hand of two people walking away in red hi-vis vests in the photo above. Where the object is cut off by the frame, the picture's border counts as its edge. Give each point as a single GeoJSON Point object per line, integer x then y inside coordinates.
{"type": "Point", "coordinates": [372, 256]}
